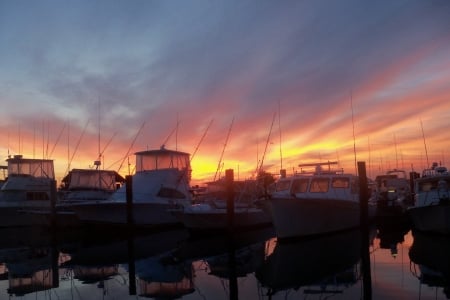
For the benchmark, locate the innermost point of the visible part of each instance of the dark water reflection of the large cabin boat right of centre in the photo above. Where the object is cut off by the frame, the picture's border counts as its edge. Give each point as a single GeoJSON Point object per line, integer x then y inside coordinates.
{"type": "Point", "coordinates": [322, 265]}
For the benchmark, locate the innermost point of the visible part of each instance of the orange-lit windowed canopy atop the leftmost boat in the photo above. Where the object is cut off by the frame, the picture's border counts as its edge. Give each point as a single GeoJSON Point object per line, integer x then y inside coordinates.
{"type": "Point", "coordinates": [18, 165]}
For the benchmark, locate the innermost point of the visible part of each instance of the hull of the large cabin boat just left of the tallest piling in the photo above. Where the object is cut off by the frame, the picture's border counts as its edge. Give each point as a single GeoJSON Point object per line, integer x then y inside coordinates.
{"type": "Point", "coordinates": [293, 217]}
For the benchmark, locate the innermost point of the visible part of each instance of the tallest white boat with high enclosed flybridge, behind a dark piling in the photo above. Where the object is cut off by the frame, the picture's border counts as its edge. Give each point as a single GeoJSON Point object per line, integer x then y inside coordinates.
{"type": "Point", "coordinates": [160, 184]}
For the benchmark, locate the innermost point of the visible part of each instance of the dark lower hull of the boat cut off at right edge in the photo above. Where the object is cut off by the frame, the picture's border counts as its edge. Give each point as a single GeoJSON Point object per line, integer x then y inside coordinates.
{"type": "Point", "coordinates": [432, 218]}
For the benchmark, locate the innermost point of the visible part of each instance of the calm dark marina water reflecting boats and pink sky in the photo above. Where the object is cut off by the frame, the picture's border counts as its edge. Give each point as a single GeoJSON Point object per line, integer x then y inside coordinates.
{"type": "Point", "coordinates": [94, 264]}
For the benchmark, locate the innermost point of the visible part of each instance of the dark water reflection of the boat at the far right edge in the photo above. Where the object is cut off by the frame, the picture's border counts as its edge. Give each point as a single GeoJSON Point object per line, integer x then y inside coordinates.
{"type": "Point", "coordinates": [430, 261]}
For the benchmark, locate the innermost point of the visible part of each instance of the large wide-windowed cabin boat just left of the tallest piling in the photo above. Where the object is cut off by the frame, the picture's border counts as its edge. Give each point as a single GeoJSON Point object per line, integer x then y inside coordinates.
{"type": "Point", "coordinates": [314, 203]}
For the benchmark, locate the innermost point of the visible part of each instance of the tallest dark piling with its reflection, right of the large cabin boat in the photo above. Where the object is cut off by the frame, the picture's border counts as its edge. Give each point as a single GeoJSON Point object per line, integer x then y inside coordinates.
{"type": "Point", "coordinates": [364, 222]}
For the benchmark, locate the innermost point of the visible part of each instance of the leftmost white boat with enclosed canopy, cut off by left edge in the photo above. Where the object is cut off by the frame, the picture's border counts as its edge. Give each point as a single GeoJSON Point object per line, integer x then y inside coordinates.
{"type": "Point", "coordinates": [27, 187]}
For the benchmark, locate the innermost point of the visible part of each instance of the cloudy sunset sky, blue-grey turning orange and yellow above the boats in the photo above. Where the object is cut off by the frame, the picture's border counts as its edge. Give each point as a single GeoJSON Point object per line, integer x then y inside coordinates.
{"type": "Point", "coordinates": [242, 85]}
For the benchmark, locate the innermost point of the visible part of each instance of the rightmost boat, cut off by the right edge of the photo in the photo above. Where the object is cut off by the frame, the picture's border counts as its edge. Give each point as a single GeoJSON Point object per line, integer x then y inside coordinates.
{"type": "Point", "coordinates": [431, 210]}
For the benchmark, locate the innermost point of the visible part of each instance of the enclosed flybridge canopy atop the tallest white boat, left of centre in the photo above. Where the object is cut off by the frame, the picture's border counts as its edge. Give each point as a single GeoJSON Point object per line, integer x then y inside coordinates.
{"type": "Point", "coordinates": [162, 159]}
